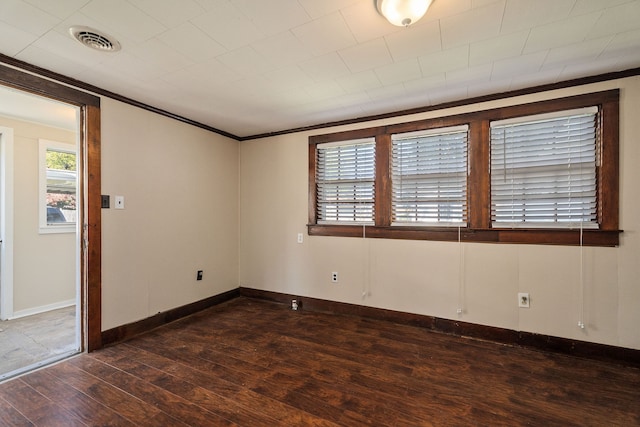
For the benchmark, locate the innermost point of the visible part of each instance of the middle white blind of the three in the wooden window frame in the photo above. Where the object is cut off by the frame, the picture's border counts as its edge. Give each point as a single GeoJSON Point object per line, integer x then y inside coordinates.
{"type": "Point", "coordinates": [429, 177]}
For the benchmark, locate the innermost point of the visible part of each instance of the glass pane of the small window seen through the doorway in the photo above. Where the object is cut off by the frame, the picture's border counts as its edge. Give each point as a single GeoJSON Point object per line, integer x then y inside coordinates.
{"type": "Point", "coordinates": [61, 187]}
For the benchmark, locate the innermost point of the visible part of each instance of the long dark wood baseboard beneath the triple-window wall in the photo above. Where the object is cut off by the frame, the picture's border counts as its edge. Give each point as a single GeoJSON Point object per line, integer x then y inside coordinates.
{"type": "Point", "coordinates": [584, 349]}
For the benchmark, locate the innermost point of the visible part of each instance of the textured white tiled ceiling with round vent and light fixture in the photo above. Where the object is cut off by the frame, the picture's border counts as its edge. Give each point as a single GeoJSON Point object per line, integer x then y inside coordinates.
{"type": "Point", "coordinates": [250, 67]}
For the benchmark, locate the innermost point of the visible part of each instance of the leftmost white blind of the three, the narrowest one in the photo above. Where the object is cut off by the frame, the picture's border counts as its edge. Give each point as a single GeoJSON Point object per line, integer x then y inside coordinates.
{"type": "Point", "coordinates": [345, 178]}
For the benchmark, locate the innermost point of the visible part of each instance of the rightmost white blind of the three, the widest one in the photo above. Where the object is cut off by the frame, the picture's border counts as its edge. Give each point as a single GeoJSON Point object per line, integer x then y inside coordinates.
{"type": "Point", "coordinates": [543, 170]}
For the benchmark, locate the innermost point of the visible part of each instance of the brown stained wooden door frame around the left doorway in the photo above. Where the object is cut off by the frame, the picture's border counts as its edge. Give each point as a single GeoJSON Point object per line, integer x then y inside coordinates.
{"type": "Point", "coordinates": [89, 191]}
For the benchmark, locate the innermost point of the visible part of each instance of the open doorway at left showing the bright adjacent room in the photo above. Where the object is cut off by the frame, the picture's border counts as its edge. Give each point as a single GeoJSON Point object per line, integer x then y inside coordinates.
{"type": "Point", "coordinates": [40, 280]}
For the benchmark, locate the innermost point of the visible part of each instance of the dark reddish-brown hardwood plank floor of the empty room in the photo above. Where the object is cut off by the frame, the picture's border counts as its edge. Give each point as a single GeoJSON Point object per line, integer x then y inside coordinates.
{"type": "Point", "coordinates": [255, 363]}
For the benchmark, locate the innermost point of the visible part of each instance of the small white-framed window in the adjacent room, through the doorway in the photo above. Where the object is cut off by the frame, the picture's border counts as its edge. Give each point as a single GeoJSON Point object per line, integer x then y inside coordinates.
{"type": "Point", "coordinates": [58, 187]}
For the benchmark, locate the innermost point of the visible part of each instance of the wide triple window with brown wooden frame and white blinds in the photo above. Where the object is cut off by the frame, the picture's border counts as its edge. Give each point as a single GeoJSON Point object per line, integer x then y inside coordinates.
{"type": "Point", "coordinates": [538, 173]}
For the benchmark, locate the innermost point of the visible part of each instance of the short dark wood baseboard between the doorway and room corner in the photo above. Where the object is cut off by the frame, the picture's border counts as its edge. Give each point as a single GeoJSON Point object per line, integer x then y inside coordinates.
{"type": "Point", "coordinates": [125, 332]}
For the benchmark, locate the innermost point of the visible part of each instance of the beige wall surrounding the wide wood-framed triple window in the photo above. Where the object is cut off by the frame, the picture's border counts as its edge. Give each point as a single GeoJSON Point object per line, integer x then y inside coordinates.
{"type": "Point", "coordinates": [424, 277]}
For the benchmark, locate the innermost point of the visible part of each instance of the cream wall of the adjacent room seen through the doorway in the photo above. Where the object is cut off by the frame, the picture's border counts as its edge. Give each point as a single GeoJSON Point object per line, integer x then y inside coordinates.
{"type": "Point", "coordinates": [44, 264]}
